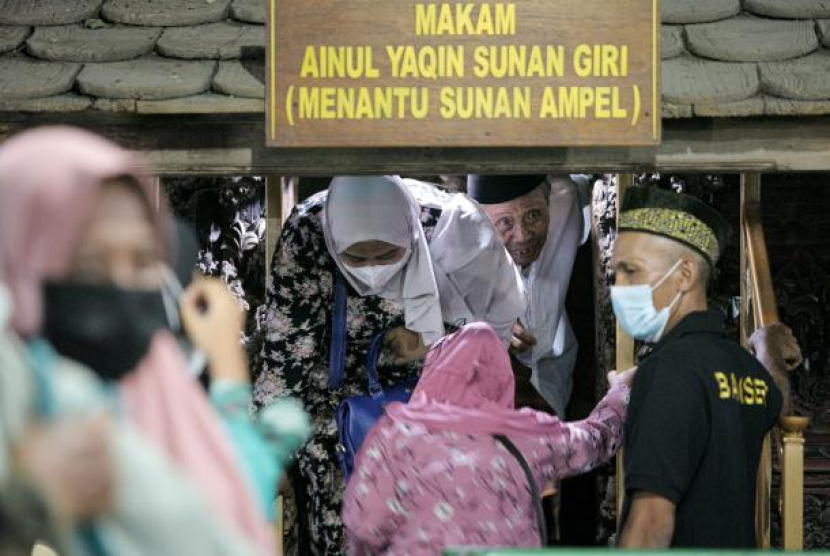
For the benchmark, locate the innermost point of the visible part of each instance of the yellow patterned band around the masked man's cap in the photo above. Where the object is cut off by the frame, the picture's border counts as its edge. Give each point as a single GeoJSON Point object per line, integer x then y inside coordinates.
{"type": "Point", "coordinates": [675, 224]}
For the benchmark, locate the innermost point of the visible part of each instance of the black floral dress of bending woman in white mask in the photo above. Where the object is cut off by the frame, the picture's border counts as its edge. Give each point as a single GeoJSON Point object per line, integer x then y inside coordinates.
{"type": "Point", "coordinates": [297, 324]}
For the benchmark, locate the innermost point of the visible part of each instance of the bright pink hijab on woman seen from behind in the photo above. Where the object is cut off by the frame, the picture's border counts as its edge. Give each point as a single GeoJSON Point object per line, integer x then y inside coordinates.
{"type": "Point", "coordinates": [467, 386]}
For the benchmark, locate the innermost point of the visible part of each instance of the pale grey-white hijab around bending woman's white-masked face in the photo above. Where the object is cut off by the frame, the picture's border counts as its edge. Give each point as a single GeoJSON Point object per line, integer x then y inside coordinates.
{"type": "Point", "coordinates": [366, 208]}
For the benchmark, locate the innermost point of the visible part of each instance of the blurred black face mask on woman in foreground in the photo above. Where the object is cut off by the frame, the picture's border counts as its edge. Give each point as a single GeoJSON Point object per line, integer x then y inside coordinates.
{"type": "Point", "coordinates": [104, 327]}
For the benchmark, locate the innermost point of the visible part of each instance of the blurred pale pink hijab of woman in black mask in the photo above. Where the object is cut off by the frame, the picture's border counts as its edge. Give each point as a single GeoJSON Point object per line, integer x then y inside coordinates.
{"type": "Point", "coordinates": [49, 179]}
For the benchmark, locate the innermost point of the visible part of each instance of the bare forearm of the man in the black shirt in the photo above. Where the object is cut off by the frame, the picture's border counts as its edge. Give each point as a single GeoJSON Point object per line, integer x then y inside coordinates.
{"type": "Point", "coordinates": [650, 522]}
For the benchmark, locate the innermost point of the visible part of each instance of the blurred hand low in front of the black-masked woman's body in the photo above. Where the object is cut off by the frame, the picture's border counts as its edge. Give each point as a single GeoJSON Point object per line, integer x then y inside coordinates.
{"type": "Point", "coordinates": [70, 462]}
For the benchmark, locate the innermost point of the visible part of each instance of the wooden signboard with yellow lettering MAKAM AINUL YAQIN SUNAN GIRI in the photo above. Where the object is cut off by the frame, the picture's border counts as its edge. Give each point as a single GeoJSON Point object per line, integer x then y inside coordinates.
{"type": "Point", "coordinates": [476, 73]}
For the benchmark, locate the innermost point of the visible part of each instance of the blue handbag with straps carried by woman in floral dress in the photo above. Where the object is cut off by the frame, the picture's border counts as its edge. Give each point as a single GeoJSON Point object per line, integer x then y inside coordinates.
{"type": "Point", "coordinates": [356, 415]}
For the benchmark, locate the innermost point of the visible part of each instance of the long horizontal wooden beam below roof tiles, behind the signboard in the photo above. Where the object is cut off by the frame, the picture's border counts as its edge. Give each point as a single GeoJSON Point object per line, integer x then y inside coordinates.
{"type": "Point", "coordinates": [233, 144]}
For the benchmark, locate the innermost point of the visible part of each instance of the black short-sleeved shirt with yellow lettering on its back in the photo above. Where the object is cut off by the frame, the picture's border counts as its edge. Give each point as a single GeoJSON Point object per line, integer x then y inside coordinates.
{"type": "Point", "coordinates": [700, 408]}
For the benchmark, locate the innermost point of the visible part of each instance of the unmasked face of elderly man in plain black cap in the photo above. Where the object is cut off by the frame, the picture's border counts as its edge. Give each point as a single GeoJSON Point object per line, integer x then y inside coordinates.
{"type": "Point", "coordinates": [523, 225]}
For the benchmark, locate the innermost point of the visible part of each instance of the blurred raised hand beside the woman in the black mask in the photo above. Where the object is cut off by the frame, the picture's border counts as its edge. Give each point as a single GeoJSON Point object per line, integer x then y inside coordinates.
{"type": "Point", "coordinates": [213, 322]}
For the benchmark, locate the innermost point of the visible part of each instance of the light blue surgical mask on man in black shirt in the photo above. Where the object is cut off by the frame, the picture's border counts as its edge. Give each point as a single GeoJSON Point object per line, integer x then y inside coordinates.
{"type": "Point", "coordinates": [635, 311]}
